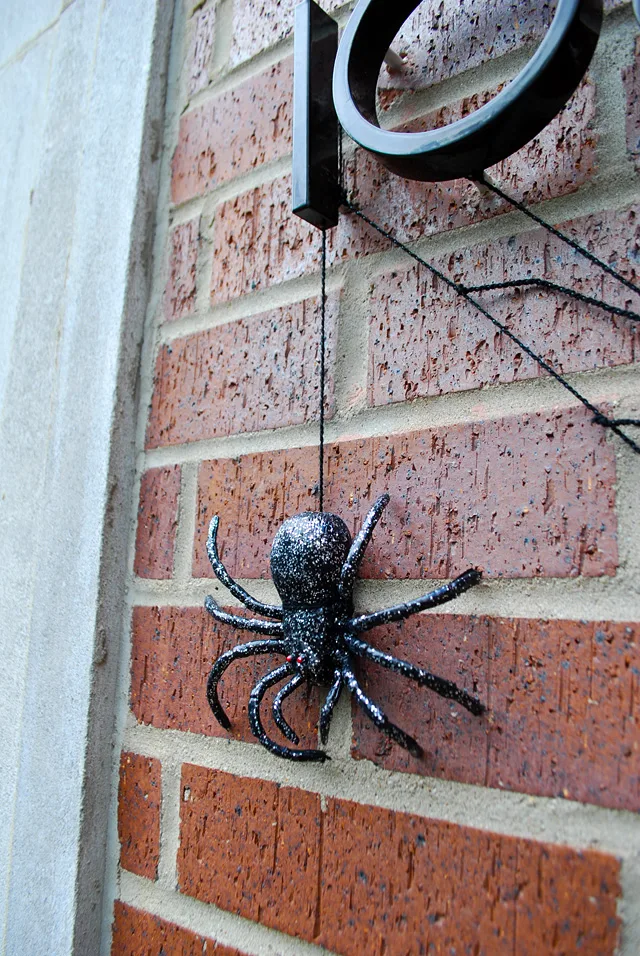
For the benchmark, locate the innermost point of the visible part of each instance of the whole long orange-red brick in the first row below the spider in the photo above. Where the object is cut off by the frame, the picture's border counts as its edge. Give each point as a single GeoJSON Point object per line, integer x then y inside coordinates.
{"type": "Point", "coordinates": [362, 879]}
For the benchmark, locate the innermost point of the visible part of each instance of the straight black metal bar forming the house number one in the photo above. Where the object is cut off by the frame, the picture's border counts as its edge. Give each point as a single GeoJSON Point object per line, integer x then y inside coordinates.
{"type": "Point", "coordinates": [315, 186]}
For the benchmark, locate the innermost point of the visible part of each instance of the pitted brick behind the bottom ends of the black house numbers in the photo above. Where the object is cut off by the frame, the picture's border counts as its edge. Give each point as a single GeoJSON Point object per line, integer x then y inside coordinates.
{"type": "Point", "coordinates": [258, 242]}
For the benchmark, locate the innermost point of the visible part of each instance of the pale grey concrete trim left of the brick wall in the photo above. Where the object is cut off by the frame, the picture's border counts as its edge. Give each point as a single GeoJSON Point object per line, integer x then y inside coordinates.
{"type": "Point", "coordinates": [81, 91]}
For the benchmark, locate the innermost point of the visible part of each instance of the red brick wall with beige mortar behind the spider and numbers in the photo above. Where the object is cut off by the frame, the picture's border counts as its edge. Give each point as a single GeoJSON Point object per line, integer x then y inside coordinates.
{"type": "Point", "coordinates": [516, 832]}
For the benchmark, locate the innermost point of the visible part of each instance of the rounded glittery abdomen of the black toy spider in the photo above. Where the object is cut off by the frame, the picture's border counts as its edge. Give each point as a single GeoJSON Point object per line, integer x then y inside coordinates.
{"type": "Point", "coordinates": [307, 556]}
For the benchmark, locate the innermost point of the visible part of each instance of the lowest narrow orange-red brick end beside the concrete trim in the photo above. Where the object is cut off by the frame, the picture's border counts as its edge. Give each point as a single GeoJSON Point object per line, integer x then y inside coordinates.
{"type": "Point", "coordinates": [139, 814]}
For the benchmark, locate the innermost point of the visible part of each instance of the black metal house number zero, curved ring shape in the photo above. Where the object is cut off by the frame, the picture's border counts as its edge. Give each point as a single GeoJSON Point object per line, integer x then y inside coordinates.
{"type": "Point", "coordinates": [466, 147]}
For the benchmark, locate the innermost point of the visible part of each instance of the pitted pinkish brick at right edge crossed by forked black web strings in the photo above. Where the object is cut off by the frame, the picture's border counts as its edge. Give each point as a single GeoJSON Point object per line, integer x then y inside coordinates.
{"type": "Point", "coordinates": [411, 354]}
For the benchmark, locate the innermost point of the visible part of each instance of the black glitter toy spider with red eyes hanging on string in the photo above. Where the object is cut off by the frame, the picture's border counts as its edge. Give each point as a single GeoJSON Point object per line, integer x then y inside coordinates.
{"type": "Point", "coordinates": [314, 565]}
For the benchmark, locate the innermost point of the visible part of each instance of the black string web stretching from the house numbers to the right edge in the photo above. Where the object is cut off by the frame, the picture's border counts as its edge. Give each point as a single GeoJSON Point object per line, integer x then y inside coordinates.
{"type": "Point", "coordinates": [465, 292]}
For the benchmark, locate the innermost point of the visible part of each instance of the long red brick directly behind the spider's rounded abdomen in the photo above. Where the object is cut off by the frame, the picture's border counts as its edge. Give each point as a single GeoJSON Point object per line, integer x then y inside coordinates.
{"type": "Point", "coordinates": [522, 496]}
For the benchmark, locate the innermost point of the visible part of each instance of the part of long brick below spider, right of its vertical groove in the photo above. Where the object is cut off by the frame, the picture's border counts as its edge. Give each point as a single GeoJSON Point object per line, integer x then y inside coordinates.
{"type": "Point", "coordinates": [453, 886]}
